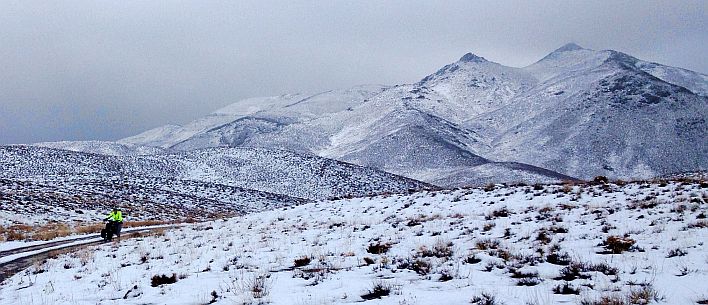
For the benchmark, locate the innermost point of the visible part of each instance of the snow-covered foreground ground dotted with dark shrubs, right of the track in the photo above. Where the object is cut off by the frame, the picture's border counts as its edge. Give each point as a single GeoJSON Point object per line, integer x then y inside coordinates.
{"type": "Point", "coordinates": [513, 244]}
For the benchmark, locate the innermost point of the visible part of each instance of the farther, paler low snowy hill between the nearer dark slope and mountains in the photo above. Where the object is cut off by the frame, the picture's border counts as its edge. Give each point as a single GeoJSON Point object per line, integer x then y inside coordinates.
{"type": "Point", "coordinates": [279, 172]}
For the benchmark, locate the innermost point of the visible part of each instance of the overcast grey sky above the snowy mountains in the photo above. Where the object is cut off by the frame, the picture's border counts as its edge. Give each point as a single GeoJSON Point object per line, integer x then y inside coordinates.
{"type": "Point", "coordinates": [79, 70]}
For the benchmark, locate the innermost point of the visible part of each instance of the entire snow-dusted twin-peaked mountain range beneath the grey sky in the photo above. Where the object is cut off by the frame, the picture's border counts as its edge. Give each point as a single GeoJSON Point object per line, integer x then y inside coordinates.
{"type": "Point", "coordinates": [575, 113]}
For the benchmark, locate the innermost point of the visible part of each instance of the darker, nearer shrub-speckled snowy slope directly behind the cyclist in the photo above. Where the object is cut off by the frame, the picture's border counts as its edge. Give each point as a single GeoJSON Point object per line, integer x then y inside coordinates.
{"type": "Point", "coordinates": [87, 198]}
